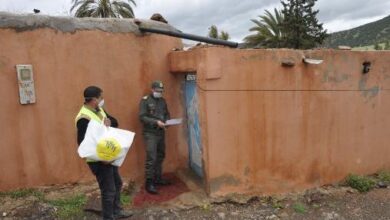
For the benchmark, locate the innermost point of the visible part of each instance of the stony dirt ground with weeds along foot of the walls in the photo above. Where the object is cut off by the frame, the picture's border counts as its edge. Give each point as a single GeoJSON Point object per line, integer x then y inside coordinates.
{"type": "Point", "coordinates": [330, 202]}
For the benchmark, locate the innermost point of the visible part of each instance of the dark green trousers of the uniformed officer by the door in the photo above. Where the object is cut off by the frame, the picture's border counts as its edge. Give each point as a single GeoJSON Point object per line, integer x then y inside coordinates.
{"type": "Point", "coordinates": [155, 154]}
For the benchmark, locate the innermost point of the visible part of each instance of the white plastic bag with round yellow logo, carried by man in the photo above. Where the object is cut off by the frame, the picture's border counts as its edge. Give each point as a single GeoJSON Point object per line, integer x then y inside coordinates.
{"type": "Point", "coordinates": [102, 143]}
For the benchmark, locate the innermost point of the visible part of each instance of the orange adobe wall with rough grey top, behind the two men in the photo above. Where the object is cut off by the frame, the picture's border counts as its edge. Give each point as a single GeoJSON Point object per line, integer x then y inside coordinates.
{"type": "Point", "coordinates": [38, 141]}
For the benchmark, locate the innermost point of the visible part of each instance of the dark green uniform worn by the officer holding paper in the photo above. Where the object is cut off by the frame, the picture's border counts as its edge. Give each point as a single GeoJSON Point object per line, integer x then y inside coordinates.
{"type": "Point", "coordinates": [152, 110]}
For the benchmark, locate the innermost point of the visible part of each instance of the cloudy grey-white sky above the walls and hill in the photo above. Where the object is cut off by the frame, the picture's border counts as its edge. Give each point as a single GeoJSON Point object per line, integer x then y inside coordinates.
{"type": "Point", "coordinates": [233, 16]}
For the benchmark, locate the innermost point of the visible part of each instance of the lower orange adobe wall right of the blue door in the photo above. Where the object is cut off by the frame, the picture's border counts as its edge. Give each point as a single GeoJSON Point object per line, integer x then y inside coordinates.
{"type": "Point", "coordinates": [267, 128]}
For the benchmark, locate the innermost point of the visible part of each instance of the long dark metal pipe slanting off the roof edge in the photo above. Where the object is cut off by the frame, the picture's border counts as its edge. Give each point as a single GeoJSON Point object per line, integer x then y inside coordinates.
{"type": "Point", "coordinates": [189, 36]}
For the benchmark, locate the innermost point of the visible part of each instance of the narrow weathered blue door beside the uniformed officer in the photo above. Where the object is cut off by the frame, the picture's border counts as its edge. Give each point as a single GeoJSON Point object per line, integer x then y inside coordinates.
{"type": "Point", "coordinates": [194, 138]}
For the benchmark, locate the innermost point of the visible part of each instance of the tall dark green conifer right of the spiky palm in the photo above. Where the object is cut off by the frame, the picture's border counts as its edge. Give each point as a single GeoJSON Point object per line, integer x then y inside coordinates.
{"type": "Point", "coordinates": [301, 28]}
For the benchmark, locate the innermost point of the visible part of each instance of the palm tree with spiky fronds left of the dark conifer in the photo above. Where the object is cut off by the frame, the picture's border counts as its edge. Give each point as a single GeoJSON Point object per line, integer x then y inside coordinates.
{"type": "Point", "coordinates": [268, 30]}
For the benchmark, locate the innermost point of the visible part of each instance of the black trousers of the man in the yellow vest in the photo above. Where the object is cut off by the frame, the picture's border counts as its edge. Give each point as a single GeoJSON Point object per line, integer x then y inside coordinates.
{"type": "Point", "coordinates": [110, 184]}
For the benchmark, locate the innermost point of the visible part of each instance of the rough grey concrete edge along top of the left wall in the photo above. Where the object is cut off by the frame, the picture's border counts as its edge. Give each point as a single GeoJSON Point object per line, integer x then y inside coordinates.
{"type": "Point", "coordinates": [28, 22]}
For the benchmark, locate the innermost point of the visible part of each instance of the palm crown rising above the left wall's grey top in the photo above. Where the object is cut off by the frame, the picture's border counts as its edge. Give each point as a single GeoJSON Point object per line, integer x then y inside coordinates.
{"type": "Point", "coordinates": [103, 8]}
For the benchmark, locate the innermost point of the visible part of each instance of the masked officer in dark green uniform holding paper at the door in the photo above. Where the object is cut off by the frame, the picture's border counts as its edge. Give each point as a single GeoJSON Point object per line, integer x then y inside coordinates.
{"type": "Point", "coordinates": [153, 114]}
